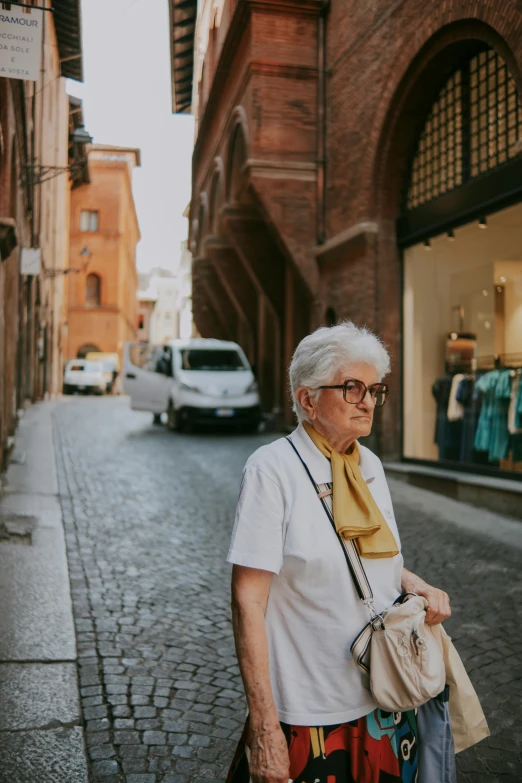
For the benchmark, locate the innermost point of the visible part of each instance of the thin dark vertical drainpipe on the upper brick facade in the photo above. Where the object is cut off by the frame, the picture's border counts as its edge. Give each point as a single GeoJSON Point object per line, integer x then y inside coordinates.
{"type": "Point", "coordinates": [321, 124]}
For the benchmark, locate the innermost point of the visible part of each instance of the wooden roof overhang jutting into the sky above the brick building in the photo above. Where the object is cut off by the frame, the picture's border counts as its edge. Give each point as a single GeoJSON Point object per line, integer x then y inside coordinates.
{"type": "Point", "coordinates": [182, 18]}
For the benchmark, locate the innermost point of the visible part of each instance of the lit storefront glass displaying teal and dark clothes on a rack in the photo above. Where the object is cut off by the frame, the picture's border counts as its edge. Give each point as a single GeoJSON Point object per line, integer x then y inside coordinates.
{"type": "Point", "coordinates": [463, 345]}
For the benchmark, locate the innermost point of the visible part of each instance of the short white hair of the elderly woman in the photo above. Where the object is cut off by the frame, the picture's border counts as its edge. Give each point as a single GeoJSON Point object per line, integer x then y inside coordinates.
{"type": "Point", "coordinates": [319, 357]}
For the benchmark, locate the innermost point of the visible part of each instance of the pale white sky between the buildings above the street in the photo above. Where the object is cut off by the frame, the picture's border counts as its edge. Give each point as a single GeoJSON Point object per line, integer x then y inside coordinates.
{"type": "Point", "coordinates": [127, 101]}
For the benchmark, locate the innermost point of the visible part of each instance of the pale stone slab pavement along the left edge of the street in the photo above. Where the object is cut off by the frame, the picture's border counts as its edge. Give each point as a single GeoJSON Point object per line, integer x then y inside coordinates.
{"type": "Point", "coordinates": [41, 737]}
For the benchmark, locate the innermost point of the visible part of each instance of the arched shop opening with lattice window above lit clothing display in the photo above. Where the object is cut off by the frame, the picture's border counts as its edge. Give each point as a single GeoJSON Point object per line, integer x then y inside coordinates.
{"type": "Point", "coordinates": [460, 234]}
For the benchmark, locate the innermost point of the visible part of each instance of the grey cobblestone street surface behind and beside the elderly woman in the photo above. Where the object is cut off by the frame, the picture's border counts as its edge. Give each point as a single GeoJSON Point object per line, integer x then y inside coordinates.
{"type": "Point", "coordinates": [148, 515]}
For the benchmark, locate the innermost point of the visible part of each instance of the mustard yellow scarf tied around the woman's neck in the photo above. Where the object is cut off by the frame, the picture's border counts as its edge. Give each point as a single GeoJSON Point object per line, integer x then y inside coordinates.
{"type": "Point", "coordinates": [356, 514]}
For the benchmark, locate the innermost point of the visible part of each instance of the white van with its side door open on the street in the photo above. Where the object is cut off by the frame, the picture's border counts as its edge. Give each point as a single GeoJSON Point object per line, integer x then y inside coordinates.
{"type": "Point", "coordinates": [196, 381]}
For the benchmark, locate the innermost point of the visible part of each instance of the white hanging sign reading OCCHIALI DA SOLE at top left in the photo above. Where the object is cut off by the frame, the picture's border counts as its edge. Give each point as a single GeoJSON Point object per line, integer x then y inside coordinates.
{"type": "Point", "coordinates": [20, 43]}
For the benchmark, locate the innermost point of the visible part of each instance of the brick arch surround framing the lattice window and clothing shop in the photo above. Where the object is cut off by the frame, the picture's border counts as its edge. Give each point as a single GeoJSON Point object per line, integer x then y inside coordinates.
{"type": "Point", "coordinates": [401, 123]}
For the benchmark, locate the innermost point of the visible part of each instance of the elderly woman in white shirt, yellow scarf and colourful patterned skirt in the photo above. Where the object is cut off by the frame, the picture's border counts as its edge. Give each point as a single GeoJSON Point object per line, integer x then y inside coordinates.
{"type": "Point", "coordinates": [295, 607]}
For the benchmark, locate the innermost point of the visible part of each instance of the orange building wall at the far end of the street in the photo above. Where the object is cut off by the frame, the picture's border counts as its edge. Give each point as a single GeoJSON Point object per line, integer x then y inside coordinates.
{"type": "Point", "coordinates": [113, 258]}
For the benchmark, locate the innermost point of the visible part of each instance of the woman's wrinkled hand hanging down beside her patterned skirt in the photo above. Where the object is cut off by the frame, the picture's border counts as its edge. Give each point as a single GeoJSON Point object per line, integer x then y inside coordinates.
{"type": "Point", "coordinates": [269, 759]}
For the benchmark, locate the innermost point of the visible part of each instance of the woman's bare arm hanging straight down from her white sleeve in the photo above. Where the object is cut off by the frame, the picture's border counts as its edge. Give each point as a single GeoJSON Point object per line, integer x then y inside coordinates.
{"type": "Point", "coordinates": [269, 762]}
